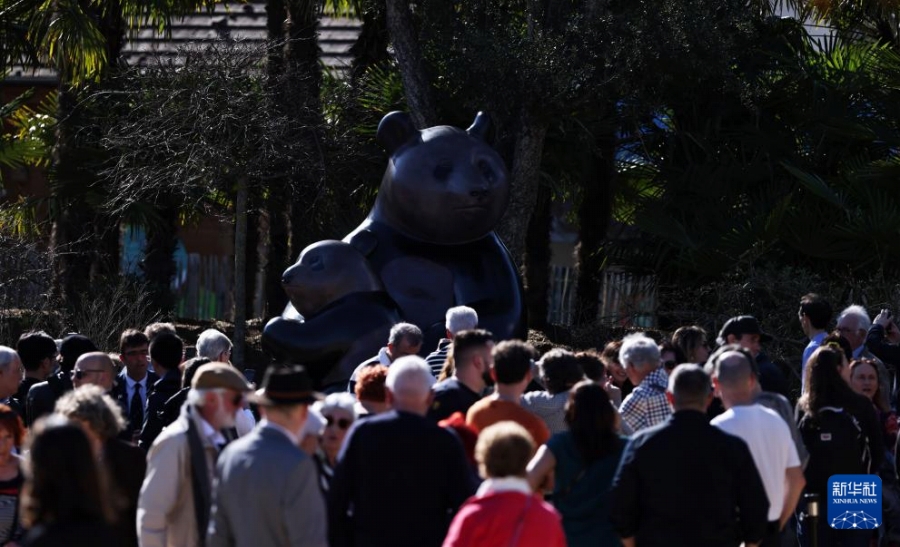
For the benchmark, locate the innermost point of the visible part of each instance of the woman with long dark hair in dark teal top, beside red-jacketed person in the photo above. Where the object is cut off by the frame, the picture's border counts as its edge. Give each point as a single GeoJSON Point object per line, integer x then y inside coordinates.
{"type": "Point", "coordinates": [582, 462]}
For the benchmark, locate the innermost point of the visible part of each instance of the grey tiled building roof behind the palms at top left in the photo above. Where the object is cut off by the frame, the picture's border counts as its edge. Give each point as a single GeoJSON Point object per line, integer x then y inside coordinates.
{"type": "Point", "coordinates": [229, 20]}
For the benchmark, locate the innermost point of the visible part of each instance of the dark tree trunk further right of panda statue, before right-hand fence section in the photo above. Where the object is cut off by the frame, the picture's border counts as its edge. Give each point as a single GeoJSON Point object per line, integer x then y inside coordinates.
{"type": "Point", "coordinates": [594, 214]}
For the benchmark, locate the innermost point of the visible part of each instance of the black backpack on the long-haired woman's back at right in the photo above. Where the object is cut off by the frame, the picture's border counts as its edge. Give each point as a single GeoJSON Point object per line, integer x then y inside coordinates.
{"type": "Point", "coordinates": [836, 445]}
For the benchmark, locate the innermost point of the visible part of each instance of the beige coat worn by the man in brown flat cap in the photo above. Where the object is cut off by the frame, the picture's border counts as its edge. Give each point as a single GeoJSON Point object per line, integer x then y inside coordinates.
{"type": "Point", "coordinates": [165, 516]}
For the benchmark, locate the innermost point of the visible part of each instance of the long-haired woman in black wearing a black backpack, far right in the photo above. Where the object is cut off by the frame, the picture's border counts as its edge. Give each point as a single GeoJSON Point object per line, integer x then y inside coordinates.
{"type": "Point", "coordinates": [841, 431]}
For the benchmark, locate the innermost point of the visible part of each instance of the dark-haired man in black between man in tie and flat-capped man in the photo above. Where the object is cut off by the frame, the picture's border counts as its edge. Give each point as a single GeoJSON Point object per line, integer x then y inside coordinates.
{"type": "Point", "coordinates": [166, 350]}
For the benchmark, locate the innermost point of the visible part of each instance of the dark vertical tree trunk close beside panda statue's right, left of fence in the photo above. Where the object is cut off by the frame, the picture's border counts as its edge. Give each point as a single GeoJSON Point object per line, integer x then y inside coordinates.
{"type": "Point", "coordinates": [537, 260]}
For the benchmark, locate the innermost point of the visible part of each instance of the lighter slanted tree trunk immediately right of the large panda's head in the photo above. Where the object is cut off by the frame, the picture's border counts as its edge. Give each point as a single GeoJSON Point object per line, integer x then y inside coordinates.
{"type": "Point", "coordinates": [524, 180]}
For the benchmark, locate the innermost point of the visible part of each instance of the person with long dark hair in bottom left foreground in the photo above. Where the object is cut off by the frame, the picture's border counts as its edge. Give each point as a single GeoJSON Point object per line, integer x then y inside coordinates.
{"type": "Point", "coordinates": [64, 499]}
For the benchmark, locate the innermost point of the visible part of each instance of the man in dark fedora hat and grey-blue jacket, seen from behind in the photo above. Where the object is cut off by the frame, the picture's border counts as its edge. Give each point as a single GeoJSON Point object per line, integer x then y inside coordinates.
{"type": "Point", "coordinates": [267, 493]}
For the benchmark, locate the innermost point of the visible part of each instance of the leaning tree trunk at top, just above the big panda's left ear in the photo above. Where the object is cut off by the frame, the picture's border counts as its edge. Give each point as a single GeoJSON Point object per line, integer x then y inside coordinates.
{"type": "Point", "coordinates": [416, 83]}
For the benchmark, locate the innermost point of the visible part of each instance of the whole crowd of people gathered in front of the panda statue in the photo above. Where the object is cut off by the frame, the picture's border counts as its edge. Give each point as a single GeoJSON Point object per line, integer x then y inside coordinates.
{"type": "Point", "coordinates": [483, 442]}
